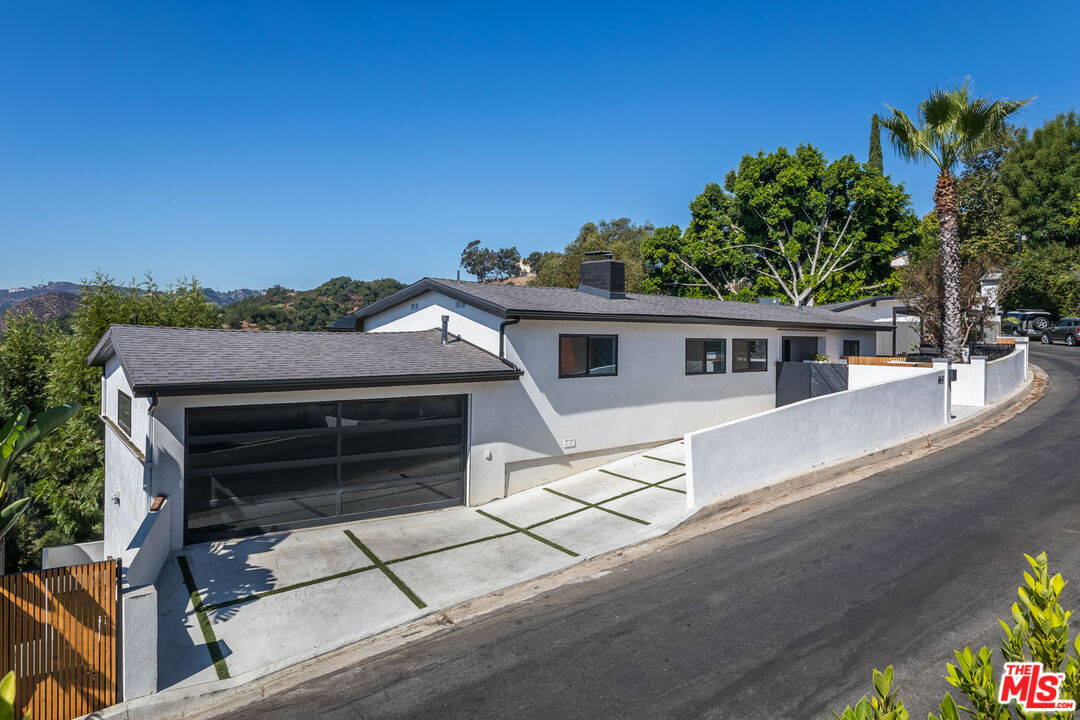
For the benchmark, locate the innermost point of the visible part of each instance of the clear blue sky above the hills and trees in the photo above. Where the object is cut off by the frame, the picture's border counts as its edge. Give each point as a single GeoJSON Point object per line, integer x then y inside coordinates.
{"type": "Point", "coordinates": [259, 143]}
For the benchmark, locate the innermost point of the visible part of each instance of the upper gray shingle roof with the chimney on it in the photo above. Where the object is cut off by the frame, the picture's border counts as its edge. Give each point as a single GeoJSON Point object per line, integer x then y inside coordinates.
{"type": "Point", "coordinates": [533, 302]}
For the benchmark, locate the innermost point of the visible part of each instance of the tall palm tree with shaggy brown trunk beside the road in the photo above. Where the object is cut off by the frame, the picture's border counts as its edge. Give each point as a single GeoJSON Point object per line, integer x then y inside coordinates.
{"type": "Point", "coordinates": [952, 127]}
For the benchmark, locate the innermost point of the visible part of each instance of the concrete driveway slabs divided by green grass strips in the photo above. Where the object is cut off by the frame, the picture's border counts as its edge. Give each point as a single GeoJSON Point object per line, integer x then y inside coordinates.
{"type": "Point", "coordinates": [236, 606]}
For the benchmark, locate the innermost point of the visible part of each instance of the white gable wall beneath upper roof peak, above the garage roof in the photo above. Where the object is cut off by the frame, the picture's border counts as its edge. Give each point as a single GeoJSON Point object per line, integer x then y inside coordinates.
{"type": "Point", "coordinates": [477, 327]}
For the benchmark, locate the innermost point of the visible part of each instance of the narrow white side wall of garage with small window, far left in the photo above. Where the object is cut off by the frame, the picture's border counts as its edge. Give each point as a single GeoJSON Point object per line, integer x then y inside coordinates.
{"type": "Point", "coordinates": [127, 477]}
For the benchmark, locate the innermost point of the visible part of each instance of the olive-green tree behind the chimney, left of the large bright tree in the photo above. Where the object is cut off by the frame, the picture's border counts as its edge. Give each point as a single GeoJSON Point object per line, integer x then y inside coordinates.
{"type": "Point", "coordinates": [623, 238]}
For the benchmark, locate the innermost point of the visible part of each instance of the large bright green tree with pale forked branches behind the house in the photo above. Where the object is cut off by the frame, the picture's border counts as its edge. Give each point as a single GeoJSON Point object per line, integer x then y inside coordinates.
{"type": "Point", "coordinates": [793, 225]}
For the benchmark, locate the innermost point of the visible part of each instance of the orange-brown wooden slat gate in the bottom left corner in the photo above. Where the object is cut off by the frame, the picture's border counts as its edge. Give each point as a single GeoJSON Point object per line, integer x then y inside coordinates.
{"type": "Point", "coordinates": [59, 634]}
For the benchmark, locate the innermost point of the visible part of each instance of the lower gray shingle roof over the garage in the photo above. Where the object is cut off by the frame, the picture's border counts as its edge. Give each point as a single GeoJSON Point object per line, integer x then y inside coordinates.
{"type": "Point", "coordinates": [186, 361]}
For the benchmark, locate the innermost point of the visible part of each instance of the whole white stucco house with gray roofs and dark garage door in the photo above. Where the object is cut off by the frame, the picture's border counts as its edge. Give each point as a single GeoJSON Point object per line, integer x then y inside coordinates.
{"type": "Point", "coordinates": [453, 393]}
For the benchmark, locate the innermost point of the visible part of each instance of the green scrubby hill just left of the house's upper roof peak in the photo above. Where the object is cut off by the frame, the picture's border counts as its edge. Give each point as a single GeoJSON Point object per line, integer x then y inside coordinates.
{"type": "Point", "coordinates": [282, 309]}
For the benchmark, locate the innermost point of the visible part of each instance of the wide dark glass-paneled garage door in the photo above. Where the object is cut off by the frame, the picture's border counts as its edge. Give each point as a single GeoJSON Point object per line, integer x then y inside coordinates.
{"type": "Point", "coordinates": [264, 468]}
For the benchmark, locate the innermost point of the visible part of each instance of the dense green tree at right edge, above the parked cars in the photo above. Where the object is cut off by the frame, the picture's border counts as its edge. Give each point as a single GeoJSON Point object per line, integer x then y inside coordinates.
{"type": "Point", "coordinates": [1041, 179]}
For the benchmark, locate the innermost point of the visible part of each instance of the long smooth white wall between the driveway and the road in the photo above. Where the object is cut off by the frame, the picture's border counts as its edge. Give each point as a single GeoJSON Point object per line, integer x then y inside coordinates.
{"type": "Point", "coordinates": [763, 450]}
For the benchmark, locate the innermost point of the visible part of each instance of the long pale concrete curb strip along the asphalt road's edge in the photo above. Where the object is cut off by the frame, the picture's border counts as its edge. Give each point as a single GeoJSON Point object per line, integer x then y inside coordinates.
{"type": "Point", "coordinates": [217, 699]}
